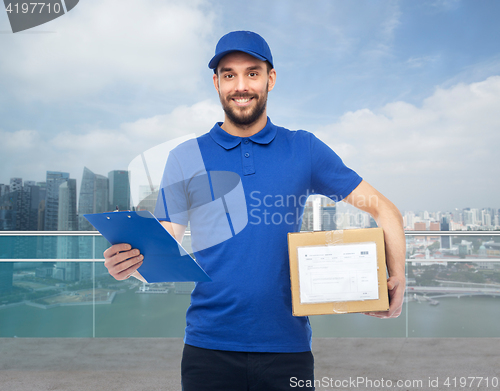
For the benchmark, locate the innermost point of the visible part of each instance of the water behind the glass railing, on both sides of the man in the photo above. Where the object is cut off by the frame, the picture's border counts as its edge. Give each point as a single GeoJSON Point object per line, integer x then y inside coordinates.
{"type": "Point", "coordinates": [163, 315]}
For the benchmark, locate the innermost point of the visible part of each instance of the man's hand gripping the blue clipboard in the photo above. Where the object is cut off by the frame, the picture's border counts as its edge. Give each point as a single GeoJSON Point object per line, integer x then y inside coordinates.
{"type": "Point", "coordinates": [122, 261]}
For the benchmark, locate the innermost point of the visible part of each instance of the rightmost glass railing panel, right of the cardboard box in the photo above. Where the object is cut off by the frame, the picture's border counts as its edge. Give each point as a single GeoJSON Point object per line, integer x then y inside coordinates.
{"type": "Point", "coordinates": [453, 286]}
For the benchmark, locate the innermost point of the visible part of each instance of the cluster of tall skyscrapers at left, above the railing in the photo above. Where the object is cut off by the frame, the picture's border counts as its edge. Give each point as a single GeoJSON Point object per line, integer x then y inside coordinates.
{"type": "Point", "coordinates": [53, 204]}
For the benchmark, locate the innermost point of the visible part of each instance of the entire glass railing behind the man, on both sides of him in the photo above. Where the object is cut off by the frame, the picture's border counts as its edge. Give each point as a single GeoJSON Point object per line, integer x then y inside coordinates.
{"type": "Point", "coordinates": [453, 291]}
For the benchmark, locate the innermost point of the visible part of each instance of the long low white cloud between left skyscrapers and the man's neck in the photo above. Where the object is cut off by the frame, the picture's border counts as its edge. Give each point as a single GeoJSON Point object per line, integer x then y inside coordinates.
{"type": "Point", "coordinates": [30, 153]}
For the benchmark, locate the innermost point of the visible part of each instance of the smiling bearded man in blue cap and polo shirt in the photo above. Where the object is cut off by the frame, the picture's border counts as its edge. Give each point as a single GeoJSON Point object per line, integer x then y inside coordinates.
{"type": "Point", "coordinates": [240, 330]}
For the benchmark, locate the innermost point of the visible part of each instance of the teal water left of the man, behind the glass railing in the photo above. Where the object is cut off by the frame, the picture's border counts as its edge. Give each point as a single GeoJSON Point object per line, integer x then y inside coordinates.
{"type": "Point", "coordinates": [130, 315]}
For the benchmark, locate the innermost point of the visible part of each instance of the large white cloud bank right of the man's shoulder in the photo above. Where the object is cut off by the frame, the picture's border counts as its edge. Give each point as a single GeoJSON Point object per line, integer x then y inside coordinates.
{"type": "Point", "coordinates": [444, 152]}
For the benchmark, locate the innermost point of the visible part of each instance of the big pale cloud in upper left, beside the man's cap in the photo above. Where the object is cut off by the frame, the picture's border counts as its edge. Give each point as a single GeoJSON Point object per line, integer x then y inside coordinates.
{"type": "Point", "coordinates": [111, 44]}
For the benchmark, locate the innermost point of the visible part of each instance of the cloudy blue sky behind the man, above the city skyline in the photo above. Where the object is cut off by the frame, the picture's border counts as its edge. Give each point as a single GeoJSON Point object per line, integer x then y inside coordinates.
{"type": "Point", "coordinates": [406, 92]}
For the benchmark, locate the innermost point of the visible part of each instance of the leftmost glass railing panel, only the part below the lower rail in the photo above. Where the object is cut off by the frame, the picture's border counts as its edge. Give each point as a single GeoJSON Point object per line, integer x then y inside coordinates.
{"type": "Point", "coordinates": [46, 299]}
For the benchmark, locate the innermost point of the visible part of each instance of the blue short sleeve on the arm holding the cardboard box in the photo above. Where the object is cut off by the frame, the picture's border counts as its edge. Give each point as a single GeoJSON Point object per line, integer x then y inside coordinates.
{"type": "Point", "coordinates": [329, 175]}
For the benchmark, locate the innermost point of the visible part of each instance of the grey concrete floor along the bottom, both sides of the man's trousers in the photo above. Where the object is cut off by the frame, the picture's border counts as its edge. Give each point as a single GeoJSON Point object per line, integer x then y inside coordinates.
{"type": "Point", "coordinates": [153, 364]}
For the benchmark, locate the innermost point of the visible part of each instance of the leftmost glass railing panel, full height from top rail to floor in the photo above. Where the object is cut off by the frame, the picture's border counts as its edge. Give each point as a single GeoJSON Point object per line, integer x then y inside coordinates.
{"type": "Point", "coordinates": [49, 292]}
